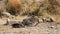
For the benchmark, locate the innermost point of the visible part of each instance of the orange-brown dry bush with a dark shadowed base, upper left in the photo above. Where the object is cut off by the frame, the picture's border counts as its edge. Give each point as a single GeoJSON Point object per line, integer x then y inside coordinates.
{"type": "Point", "coordinates": [14, 6]}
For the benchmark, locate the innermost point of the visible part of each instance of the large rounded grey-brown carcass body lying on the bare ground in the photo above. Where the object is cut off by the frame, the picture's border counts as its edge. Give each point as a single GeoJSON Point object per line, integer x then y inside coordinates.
{"type": "Point", "coordinates": [31, 21]}
